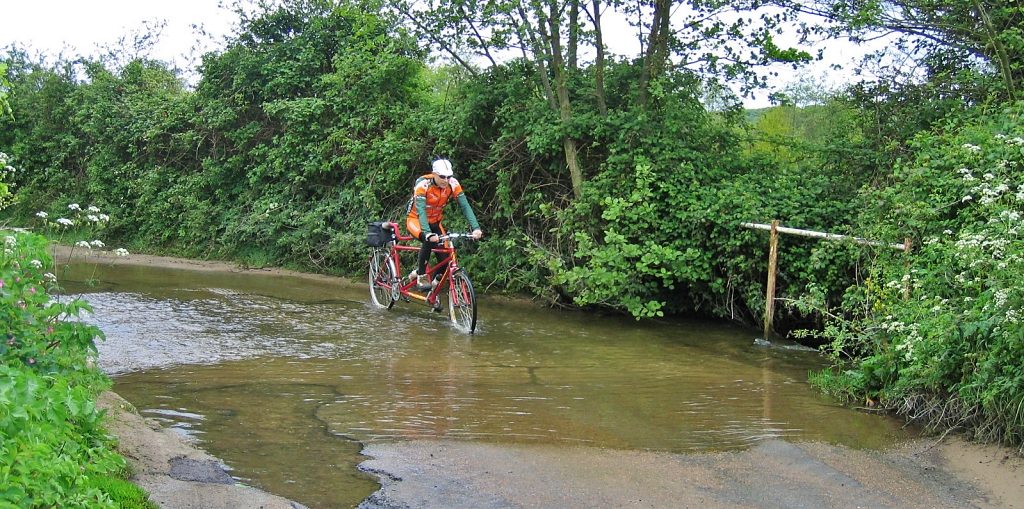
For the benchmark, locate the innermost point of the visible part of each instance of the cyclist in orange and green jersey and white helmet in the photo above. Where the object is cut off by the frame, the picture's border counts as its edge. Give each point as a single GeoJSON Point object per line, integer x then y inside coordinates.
{"type": "Point", "coordinates": [426, 210]}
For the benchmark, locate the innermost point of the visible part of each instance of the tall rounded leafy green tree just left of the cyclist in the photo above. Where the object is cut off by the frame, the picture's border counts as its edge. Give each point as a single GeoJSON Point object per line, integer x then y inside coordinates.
{"type": "Point", "coordinates": [309, 125]}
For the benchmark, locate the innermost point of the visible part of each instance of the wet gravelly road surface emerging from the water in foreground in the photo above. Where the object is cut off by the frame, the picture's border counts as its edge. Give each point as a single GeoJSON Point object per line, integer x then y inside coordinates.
{"type": "Point", "coordinates": [774, 476]}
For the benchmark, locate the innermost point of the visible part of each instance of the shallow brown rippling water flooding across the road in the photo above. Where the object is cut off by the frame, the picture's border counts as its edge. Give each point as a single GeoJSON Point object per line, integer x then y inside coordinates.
{"type": "Point", "coordinates": [283, 378]}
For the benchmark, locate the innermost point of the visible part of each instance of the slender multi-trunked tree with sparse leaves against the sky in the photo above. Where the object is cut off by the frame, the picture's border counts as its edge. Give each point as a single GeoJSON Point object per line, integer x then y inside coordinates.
{"type": "Point", "coordinates": [551, 35]}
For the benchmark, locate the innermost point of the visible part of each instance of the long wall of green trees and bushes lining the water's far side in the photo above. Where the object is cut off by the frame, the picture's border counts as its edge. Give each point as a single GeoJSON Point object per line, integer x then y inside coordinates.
{"type": "Point", "coordinates": [615, 183]}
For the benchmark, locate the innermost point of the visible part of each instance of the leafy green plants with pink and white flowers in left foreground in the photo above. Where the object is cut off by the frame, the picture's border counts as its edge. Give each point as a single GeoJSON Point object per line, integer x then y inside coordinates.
{"type": "Point", "coordinates": [54, 451]}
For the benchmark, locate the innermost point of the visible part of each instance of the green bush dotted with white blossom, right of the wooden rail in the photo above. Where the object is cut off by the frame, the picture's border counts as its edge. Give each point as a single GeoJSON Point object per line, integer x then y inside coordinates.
{"type": "Point", "coordinates": [943, 337]}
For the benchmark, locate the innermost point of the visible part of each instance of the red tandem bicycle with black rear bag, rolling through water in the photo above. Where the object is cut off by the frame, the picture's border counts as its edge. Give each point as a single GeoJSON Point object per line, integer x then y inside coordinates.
{"type": "Point", "coordinates": [388, 285]}
